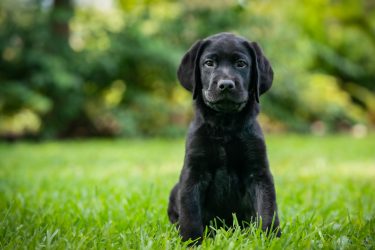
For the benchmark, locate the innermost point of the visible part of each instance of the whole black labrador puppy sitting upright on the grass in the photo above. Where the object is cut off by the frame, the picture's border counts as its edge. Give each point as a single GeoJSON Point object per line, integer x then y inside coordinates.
{"type": "Point", "coordinates": [226, 168]}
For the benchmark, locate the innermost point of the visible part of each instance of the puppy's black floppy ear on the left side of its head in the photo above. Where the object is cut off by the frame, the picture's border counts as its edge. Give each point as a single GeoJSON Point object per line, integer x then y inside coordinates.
{"type": "Point", "coordinates": [188, 72]}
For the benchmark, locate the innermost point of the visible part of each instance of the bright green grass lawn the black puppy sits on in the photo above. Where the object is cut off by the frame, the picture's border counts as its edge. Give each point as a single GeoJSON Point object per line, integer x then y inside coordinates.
{"type": "Point", "coordinates": [113, 194]}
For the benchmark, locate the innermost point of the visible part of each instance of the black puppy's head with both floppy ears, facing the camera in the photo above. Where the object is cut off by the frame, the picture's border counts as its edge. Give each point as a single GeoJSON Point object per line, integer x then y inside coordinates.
{"type": "Point", "coordinates": [226, 71]}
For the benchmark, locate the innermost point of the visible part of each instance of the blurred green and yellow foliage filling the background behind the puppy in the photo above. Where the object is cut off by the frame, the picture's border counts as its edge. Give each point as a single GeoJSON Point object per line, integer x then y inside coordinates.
{"type": "Point", "coordinates": [67, 69]}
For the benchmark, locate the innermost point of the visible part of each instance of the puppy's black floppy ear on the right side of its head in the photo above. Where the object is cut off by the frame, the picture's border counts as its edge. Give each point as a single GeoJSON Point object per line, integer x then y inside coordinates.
{"type": "Point", "coordinates": [261, 71]}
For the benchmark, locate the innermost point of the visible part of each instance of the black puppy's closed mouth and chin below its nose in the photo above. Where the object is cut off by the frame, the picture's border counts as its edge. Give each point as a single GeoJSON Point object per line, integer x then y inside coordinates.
{"type": "Point", "coordinates": [224, 104]}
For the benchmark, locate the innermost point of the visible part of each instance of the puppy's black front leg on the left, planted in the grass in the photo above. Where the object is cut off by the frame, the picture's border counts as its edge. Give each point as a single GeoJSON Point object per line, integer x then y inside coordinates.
{"type": "Point", "coordinates": [190, 220]}
